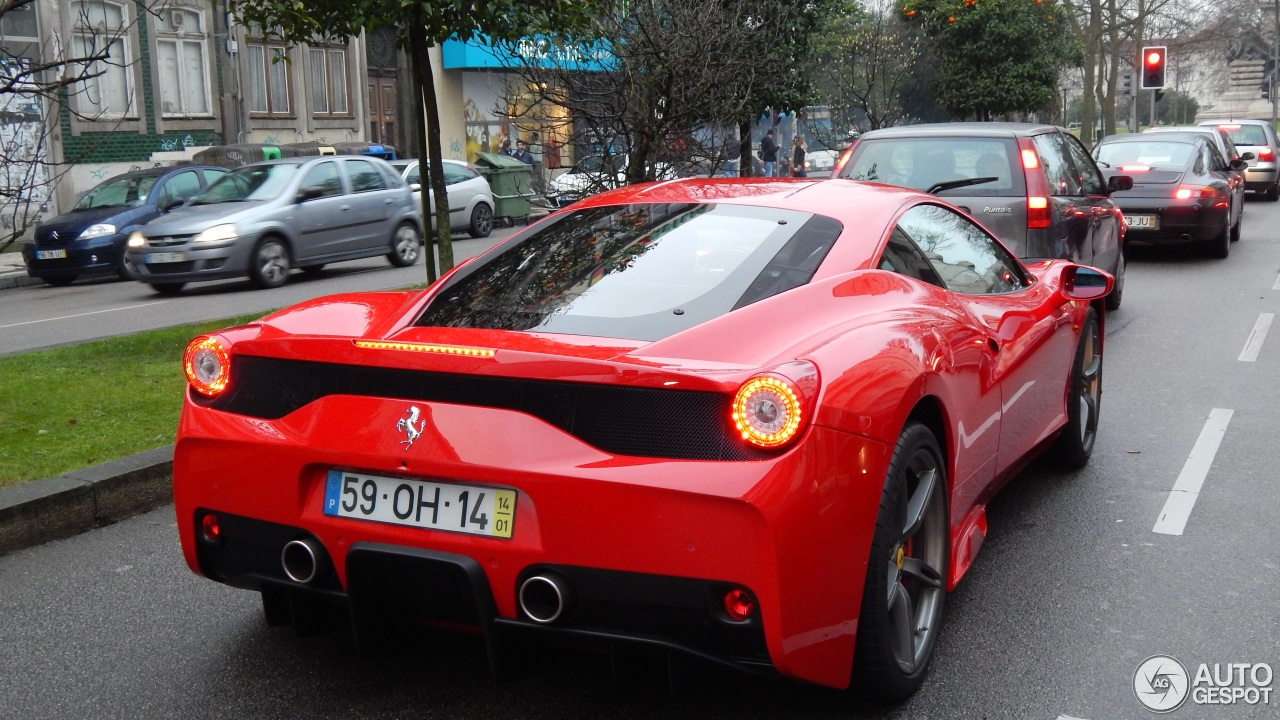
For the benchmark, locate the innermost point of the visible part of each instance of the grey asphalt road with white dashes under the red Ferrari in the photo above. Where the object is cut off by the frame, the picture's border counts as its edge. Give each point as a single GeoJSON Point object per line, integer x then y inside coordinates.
{"type": "Point", "coordinates": [1072, 593]}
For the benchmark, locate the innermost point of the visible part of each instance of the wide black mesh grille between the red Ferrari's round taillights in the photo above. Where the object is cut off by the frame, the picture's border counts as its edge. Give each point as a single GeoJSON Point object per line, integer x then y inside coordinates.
{"type": "Point", "coordinates": [623, 421]}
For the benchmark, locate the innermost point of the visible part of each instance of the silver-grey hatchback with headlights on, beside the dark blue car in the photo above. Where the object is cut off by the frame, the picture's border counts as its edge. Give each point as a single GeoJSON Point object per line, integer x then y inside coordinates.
{"type": "Point", "coordinates": [262, 221]}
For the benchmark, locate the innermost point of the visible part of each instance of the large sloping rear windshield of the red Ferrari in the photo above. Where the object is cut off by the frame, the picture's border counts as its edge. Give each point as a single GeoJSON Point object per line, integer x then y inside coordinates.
{"type": "Point", "coordinates": [636, 272]}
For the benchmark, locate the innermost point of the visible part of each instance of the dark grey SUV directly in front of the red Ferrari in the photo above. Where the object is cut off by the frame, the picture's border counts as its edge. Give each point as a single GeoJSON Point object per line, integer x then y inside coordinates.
{"type": "Point", "coordinates": [1035, 186]}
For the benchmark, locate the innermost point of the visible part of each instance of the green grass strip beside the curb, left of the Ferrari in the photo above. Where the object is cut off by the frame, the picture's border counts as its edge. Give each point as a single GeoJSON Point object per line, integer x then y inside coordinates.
{"type": "Point", "coordinates": [70, 408]}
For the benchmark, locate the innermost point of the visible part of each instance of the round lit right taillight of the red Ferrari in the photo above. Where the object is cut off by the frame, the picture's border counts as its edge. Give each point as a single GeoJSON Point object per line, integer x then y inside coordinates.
{"type": "Point", "coordinates": [771, 409]}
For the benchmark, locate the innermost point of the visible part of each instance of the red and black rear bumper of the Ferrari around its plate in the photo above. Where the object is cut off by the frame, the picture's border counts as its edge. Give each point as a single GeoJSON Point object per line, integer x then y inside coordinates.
{"type": "Point", "coordinates": [648, 545]}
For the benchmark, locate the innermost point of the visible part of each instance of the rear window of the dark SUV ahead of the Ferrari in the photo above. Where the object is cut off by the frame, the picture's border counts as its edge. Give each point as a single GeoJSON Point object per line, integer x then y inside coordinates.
{"type": "Point", "coordinates": [920, 163]}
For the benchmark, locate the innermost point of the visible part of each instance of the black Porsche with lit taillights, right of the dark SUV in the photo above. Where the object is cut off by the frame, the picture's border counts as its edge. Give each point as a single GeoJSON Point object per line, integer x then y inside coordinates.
{"type": "Point", "coordinates": [1182, 189]}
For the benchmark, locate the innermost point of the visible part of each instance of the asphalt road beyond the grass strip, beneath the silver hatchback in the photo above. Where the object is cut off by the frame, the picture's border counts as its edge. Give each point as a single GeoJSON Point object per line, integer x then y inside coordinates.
{"type": "Point", "coordinates": [39, 316]}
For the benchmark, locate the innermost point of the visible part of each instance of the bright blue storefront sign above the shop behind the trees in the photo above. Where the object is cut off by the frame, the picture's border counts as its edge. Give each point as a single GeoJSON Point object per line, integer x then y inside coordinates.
{"type": "Point", "coordinates": [543, 53]}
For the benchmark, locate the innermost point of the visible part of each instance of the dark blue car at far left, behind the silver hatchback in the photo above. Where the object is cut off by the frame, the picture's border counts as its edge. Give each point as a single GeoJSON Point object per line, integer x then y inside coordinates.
{"type": "Point", "coordinates": [90, 239]}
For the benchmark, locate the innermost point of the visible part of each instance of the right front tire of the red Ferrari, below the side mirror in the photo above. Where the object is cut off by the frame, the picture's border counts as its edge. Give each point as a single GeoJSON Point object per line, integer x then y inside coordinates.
{"type": "Point", "coordinates": [1084, 398]}
